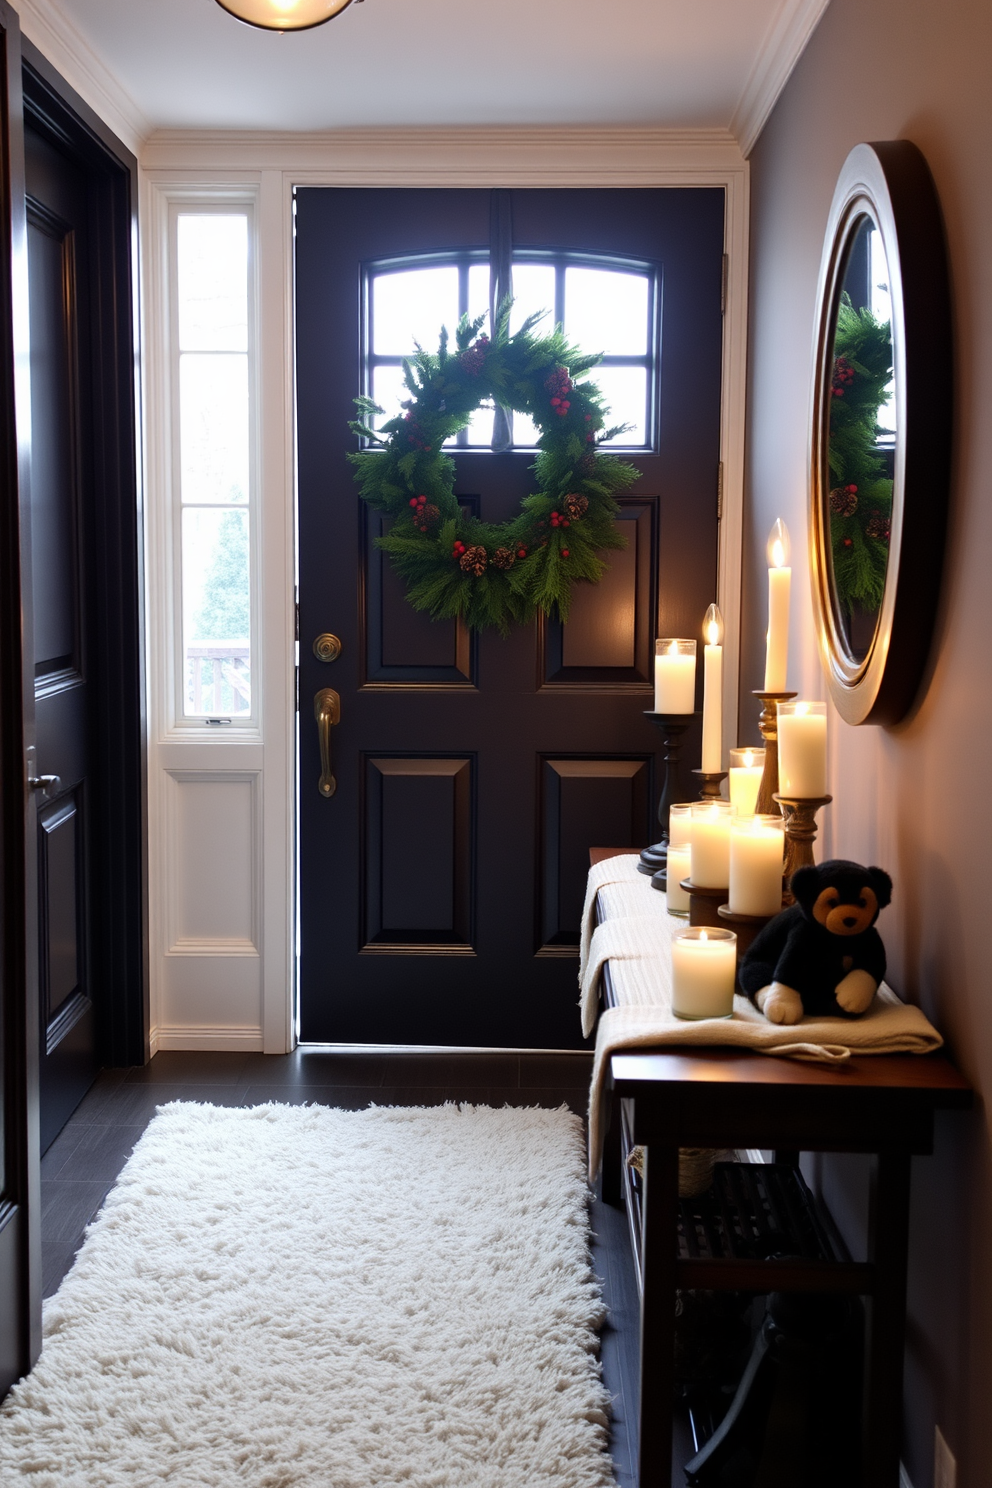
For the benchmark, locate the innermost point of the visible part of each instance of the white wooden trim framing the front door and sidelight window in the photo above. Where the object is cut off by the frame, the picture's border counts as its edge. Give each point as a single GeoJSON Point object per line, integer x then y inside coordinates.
{"type": "Point", "coordinates": [271, 166]}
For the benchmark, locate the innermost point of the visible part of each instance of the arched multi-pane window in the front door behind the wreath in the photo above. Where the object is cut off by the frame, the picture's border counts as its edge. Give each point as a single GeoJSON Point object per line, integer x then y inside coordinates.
{"type": "Point", "coordinates": [606, 306]}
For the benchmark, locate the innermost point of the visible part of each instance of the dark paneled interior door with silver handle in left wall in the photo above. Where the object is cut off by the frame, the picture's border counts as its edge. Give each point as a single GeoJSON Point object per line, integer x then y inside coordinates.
{"type": "Point", "coordinates": [60, 469]}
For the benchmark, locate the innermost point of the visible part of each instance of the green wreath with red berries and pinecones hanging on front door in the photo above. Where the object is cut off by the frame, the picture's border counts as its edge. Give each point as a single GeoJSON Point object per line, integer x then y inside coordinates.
{"type": "Point", "coordinates": [453, 563]}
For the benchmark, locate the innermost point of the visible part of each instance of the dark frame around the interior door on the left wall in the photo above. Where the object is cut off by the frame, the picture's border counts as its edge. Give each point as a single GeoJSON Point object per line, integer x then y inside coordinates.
{"type": "Point", "coordinates": [118, 956]}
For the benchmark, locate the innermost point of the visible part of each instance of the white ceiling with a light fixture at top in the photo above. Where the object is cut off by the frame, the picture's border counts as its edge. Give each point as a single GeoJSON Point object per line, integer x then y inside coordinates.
{"type": "Point", "coordinates": [674, 63]}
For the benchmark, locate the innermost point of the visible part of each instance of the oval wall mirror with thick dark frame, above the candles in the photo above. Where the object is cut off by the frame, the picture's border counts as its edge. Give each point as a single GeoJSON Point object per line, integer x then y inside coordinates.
{"type": "Point", "coordinates": [880, 432]}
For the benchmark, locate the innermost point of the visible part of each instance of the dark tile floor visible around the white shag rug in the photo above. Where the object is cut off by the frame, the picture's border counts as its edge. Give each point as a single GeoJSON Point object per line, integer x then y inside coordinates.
{"type": "Point", "coordinates": [84, 1161]}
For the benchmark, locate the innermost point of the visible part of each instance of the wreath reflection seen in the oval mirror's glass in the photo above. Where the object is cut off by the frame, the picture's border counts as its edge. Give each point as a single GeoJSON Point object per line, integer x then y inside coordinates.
{"type": "Point", "coordinates": [862, 492]}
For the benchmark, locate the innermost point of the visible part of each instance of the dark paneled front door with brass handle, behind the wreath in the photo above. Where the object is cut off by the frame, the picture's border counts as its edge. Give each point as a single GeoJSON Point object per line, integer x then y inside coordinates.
{"type": "Point", "coordinates": [441, 886]}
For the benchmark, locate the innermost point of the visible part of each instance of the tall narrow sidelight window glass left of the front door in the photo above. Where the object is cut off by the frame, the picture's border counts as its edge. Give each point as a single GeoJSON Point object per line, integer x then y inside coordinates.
{"type": "Point", "coordinates": [213, 394]}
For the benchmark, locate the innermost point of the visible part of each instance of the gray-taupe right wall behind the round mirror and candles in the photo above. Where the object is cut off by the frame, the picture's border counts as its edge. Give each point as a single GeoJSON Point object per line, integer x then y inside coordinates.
{"type": "Point", "coordinates": [915, 798]}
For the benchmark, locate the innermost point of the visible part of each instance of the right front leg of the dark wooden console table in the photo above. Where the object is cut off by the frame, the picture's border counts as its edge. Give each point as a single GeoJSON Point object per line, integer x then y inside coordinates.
{"type": "Point", "coordinates": [886, 1324]}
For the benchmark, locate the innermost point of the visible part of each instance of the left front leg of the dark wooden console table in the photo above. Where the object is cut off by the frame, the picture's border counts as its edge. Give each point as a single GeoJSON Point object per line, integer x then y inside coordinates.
{"type": "Point", "coordinates": [660, 1249]}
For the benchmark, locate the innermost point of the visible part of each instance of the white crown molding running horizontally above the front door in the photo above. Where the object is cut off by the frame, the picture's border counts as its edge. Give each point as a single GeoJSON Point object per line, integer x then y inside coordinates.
{"type": "Point", "coordinates": [512, 157]}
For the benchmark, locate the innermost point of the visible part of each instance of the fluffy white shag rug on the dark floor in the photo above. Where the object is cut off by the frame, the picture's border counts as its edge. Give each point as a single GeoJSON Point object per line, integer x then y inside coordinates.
{"type": "Point", "coordinates": [312, 1298]}
